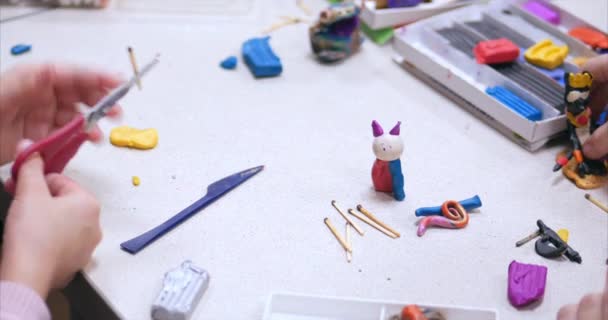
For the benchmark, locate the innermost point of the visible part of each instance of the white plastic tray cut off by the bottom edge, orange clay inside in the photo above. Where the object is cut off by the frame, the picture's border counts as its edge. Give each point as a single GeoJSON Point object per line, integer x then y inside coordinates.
{"type": "Point", "coordinates": [285, 306]}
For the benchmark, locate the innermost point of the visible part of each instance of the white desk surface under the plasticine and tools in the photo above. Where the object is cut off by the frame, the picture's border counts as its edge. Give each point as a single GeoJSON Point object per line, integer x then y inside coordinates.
{"type": "Point", "coordinates": [311, 128]}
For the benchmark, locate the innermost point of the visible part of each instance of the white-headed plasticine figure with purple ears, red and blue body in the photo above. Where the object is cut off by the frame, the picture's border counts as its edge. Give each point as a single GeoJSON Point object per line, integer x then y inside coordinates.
{"type": "Point", "coordinates": [386, 172]}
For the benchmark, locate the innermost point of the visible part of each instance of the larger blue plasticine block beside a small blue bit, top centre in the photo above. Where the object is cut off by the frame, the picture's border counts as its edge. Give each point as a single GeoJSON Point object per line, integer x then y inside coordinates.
{"type": "Point", "coordinates": [260, 59]}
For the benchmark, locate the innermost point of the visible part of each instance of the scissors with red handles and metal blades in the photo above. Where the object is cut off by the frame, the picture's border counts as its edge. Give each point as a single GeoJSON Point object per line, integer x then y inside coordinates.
{"type": "Point", "coordinates": [60, 146]}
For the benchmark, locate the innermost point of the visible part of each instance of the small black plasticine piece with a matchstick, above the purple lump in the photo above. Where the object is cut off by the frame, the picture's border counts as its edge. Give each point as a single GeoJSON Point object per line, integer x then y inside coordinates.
{"type": "Point", "coordinates": [550, 244]}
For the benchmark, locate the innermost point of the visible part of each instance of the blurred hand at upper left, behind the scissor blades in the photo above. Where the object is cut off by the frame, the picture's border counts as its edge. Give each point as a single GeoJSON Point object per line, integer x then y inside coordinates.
{"type": "Point", "coordinates": [37, 99]}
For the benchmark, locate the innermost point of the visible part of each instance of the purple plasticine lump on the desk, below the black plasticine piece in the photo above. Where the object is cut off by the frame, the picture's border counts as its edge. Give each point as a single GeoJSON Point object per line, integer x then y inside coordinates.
{"type": "Point", "coordinates": [526, 283]}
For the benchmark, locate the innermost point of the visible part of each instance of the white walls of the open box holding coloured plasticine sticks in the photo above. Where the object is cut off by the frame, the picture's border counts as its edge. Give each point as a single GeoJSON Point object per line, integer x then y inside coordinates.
{"type": "Point", "coordinates": [433, 59]}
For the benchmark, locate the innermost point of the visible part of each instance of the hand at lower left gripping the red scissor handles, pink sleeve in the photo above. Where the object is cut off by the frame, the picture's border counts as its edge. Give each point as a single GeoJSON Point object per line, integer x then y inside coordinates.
{"type": "Point", "coordinates": [51, 230]}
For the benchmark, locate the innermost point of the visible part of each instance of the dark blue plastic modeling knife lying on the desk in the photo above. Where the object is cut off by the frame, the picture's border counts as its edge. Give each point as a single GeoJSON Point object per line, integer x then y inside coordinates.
{"type": "Point", "coordinates": [214, 191]}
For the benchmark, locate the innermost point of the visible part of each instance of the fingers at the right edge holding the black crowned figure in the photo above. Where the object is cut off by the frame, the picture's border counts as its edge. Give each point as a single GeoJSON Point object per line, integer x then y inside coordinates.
{"type": "Point", "coordinates": [597, 145]}
